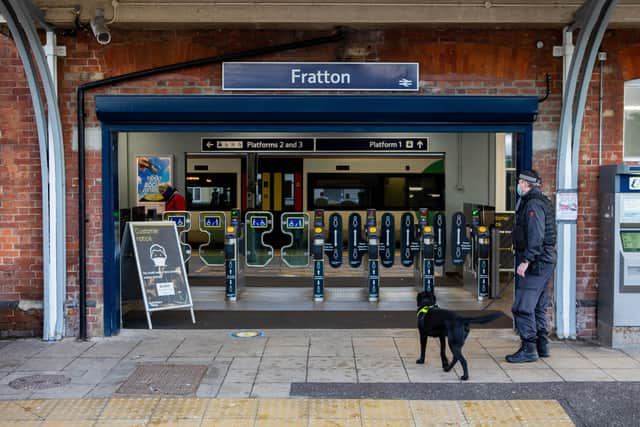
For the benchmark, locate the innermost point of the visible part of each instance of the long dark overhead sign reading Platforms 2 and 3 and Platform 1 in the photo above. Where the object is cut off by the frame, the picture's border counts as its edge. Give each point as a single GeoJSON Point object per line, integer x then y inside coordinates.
{"type": "Point", "coordinates": [293, 145]}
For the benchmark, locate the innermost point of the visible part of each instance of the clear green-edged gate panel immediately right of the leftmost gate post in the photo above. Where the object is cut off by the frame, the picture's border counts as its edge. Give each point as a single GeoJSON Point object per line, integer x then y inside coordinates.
{"type": "Point", "coordinates": [257, 225]}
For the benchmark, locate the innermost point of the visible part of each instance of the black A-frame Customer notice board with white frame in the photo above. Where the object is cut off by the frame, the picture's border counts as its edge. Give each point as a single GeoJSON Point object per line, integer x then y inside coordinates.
{"type": "Point", "coordinates": [161, 271]}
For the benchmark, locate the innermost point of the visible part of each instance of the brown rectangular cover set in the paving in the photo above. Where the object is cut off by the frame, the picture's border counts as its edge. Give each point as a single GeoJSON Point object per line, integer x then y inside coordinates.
{"type": "Point", "coordinates": [163, 379]}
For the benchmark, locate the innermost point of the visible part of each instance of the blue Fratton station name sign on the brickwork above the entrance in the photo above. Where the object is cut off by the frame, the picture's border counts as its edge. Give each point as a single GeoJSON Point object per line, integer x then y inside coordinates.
{"type": "Point", "coordinates": [325, 76]}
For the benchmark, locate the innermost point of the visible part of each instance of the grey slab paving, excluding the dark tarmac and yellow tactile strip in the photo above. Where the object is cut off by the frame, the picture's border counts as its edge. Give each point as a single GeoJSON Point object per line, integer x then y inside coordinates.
{"type": "Point", "coordinates": [266, 366]}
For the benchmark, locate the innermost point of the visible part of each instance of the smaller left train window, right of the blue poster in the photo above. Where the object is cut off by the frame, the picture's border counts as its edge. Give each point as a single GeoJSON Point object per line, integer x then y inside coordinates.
{"type": "Point", "coordinates": [210, 191]}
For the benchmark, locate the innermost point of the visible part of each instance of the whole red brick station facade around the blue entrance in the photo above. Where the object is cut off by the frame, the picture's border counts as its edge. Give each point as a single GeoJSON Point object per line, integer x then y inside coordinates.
{"type": "Point", "coordinates": [452, 62]}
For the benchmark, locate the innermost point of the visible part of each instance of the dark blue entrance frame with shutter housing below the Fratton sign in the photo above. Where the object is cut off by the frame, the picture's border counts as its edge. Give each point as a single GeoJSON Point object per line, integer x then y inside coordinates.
{"type": "Point", "coordinates": [289, 114]}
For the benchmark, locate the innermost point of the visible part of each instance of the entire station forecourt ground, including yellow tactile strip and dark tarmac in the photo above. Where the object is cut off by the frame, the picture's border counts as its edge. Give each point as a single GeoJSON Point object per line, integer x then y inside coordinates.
{"type": "Point", "coordinates": [372, 372]}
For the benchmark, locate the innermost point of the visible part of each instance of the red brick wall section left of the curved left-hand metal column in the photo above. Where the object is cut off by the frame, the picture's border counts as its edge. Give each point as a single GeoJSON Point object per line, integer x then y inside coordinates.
{"type": "Point", "coordinates": [20, 201]}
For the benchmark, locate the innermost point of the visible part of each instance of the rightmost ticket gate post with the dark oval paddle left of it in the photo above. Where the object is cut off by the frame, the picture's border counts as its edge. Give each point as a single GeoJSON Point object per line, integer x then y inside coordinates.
{"type": "Point", "coordinates": [461, 247]}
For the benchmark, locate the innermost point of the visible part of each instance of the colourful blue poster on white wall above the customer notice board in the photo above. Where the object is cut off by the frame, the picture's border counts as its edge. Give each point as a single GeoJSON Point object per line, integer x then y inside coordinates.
{"type": "Point", "coordinates": [152, 170]}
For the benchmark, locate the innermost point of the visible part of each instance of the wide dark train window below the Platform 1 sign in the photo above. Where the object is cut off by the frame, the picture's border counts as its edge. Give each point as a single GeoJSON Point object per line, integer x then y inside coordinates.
{"type": "Point", "coordinates": [376, 191]}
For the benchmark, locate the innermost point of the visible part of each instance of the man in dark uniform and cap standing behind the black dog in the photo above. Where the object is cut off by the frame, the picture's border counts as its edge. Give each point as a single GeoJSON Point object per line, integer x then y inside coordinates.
{"type": "Point", "coordinates": [534, 238]}
